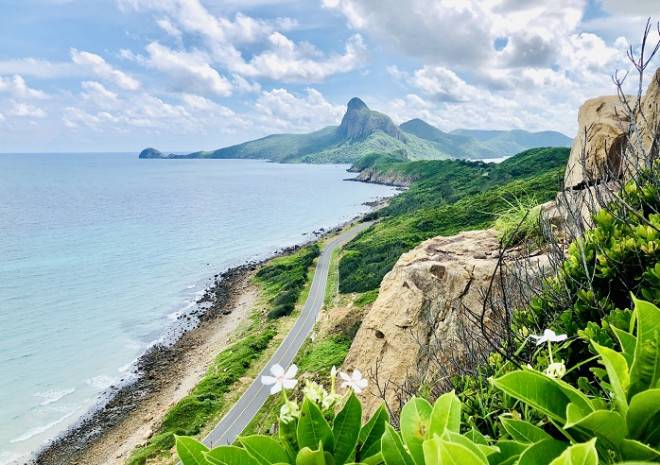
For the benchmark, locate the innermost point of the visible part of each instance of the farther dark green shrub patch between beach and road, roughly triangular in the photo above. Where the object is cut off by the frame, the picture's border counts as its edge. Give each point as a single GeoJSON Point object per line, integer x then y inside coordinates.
{"type": "Point", "coordinates": [284, 279]}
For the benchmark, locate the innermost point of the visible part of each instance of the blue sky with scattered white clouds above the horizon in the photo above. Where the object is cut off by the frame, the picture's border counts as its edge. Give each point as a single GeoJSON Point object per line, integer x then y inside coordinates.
{"type": "Point", "coordinates": [188, 75]}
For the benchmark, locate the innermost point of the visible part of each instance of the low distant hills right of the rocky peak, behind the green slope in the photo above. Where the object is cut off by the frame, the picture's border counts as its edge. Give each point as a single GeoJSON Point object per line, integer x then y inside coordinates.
{"type": "Point", "coordinates": [511, 142]}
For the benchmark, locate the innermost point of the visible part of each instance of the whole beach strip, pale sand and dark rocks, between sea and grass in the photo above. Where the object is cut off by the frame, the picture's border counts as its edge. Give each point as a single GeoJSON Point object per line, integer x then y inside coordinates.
{"type": "Point", "coordinates": [109, 435]}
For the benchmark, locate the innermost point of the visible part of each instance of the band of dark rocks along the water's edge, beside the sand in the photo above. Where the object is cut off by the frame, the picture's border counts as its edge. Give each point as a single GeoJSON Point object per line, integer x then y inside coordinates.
{"type": "Point", "coordinates": [155, 369]}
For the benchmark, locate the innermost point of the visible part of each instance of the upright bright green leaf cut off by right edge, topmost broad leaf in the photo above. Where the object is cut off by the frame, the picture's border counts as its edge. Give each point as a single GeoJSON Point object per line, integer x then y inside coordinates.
{"type": "Point", "coordinates": [645, 370]}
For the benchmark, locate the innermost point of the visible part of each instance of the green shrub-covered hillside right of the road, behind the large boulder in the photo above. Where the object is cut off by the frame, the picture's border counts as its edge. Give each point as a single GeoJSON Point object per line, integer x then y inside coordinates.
{"type": "Point", "coordinates": [449, 197]}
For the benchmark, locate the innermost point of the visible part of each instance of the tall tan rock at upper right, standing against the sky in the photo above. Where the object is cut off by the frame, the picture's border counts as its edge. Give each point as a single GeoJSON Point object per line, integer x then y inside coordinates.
{"type": "Point", "coordinates": [603, 125]}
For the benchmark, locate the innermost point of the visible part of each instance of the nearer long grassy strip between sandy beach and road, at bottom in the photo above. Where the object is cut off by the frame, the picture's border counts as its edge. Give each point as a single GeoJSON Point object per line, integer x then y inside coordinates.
{"type": "Point", "coordinates": [196, 410]}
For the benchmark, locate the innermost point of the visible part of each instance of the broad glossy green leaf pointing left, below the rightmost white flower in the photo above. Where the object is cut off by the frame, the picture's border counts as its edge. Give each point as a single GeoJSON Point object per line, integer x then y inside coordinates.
{"type": "Point", "coordinates": [547, 395]}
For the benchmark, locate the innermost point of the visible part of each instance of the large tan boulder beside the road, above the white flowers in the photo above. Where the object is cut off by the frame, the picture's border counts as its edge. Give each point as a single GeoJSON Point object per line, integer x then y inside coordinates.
{"type": "Point", "coordinates": [423, 301]}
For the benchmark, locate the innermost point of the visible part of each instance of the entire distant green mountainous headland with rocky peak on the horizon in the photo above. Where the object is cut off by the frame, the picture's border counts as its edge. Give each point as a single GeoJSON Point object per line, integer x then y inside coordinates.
{"type": "Point", "coordinates": [363, 131]}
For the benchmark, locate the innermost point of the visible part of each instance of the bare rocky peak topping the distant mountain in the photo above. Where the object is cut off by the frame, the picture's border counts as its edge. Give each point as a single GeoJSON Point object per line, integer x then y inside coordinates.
{"type": "Point", "coordinates": [360, 122]}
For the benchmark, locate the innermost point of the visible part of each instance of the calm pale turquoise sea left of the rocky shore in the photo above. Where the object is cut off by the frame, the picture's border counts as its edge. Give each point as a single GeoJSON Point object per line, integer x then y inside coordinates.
{"type": "Point", "coordinates": [99, 253]}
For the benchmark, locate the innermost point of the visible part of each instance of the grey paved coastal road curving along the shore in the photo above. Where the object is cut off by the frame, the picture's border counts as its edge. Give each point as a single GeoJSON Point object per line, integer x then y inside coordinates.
{"type": "Point", "coordinates": [249, 404]}
